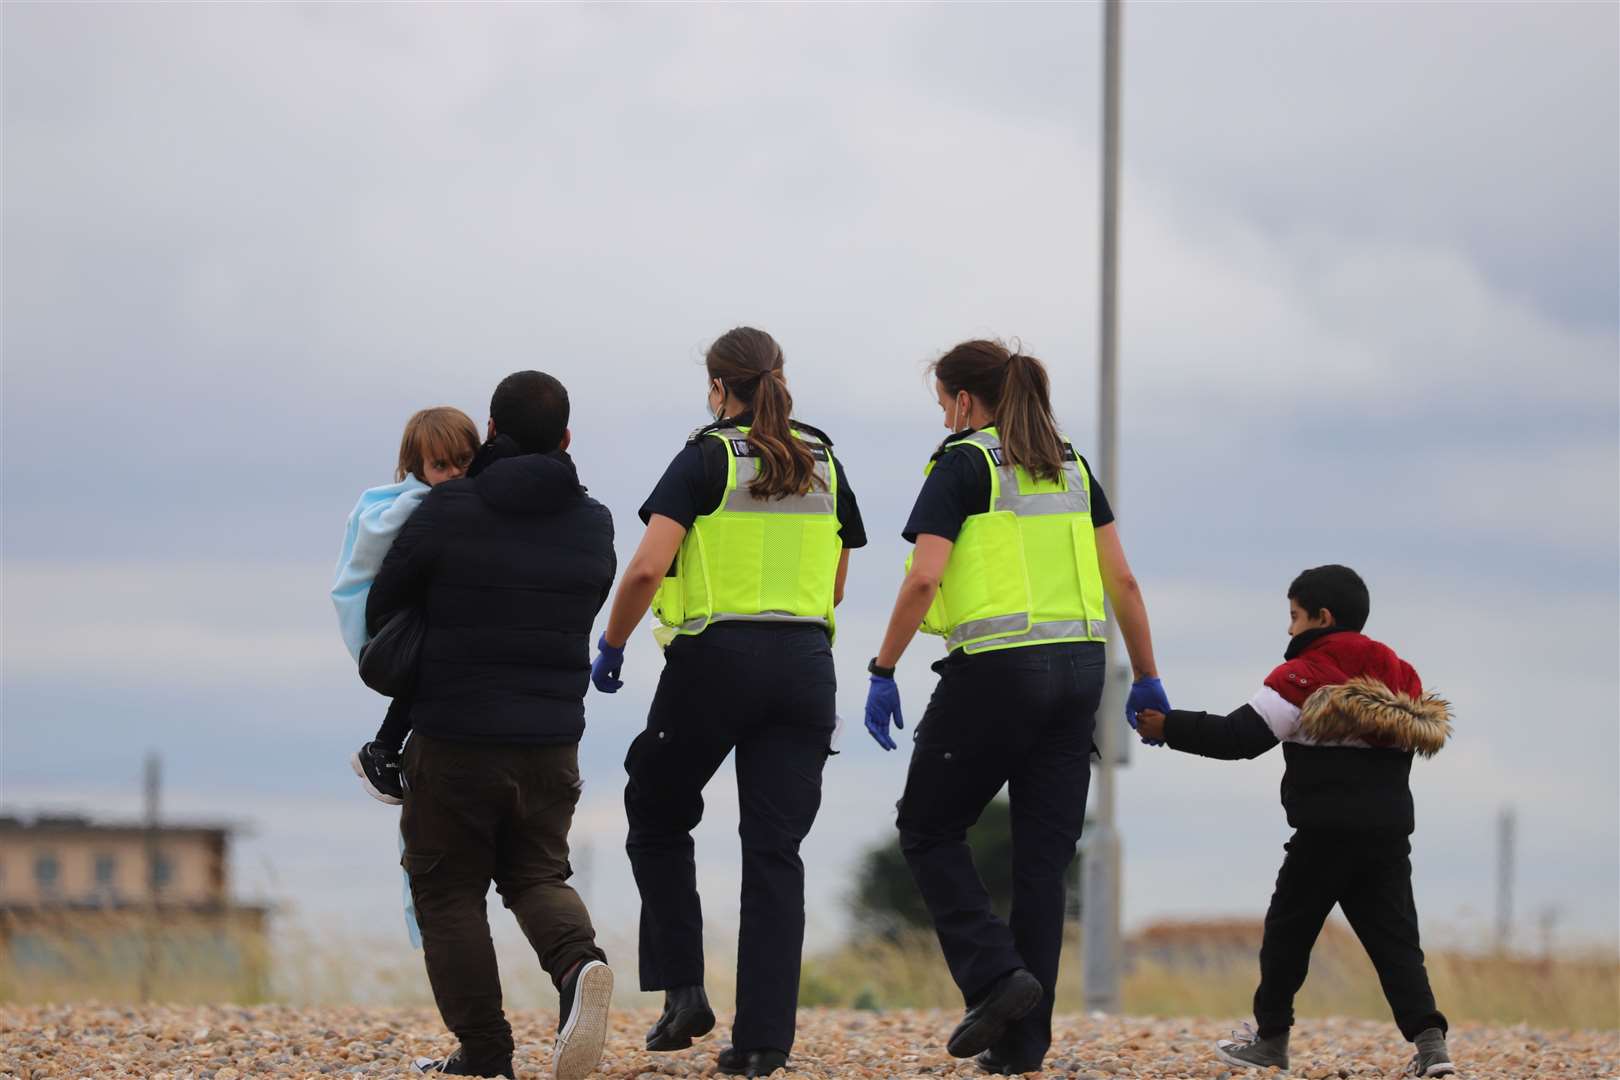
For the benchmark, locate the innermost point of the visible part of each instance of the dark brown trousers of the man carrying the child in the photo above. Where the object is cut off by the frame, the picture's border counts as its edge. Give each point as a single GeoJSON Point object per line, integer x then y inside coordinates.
{"type": "Point", "coordinates": [479, 814]}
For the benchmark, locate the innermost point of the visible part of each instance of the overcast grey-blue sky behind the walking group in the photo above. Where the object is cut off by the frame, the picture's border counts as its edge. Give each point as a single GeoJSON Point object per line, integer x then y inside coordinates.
{"type": "Point", "coordinates": [1370, 315]}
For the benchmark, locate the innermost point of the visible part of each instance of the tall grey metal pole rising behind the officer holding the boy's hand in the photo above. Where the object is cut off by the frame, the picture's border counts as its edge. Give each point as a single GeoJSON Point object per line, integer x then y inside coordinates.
{"type": "Point", "coordinates": [1101, 914]}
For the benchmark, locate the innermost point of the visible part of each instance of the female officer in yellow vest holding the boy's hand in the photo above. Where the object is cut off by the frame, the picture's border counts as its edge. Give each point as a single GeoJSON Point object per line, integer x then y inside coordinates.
{"type": "Point", "coordinates": [1015, 550]}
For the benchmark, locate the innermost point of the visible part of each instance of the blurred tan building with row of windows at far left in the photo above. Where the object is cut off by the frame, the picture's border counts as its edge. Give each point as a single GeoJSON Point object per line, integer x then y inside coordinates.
{"type": "Point", "coordinates": [116, 911]}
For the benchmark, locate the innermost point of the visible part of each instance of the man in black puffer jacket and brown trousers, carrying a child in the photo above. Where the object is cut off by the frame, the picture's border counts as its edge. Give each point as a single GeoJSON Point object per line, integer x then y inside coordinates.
{"type": "Point", "coordinates": [511, 566]}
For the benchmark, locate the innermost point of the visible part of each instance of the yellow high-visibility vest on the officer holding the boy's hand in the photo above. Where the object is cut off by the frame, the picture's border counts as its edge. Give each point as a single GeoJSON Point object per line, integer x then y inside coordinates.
{"type": "Point", "coordinates": [1023, 572]}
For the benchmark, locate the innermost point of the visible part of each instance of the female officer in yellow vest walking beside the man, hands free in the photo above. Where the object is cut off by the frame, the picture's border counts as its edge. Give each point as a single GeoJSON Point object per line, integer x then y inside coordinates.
{"type": "Point", "coordinates": [744, 558]}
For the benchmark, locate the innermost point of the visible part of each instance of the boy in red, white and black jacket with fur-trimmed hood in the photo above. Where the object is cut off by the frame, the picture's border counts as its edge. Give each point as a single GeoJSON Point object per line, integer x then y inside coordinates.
{"type": "Point", "coordinates": [1350, 715]}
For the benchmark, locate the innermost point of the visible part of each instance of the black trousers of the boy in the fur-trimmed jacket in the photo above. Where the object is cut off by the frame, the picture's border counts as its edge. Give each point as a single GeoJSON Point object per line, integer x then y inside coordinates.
{"type": "Point", "coordinates": [1370, 875]}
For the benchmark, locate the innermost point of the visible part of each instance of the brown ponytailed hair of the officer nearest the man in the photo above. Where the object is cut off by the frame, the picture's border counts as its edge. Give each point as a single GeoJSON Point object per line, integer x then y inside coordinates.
{"type": "Point", "coordinates": [749, 365]}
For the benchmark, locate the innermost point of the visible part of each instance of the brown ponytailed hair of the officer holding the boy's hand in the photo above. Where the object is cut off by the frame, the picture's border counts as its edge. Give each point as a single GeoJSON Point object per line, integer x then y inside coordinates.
{"type": "Point", "coordinates": [1018, 393]}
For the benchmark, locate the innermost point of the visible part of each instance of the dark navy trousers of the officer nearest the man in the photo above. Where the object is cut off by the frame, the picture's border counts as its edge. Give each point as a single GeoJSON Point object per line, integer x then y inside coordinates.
{"type": "Point", "coordinates": [767, 692]}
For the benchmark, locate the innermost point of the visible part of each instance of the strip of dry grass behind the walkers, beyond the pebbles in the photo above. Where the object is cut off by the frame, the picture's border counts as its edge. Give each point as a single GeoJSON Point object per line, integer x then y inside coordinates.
{"type": "Point", "coordinates": [307, 967]}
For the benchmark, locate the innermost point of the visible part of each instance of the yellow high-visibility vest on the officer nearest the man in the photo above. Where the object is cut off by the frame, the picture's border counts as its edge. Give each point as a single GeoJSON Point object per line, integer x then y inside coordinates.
{"type": "Point", "coordinates": [757, 559]}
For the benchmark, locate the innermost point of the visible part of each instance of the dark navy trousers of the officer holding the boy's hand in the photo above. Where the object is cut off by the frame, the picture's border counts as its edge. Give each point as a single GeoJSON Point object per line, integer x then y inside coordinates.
{"type": "Point", "coordinates": [1023, 718]}
